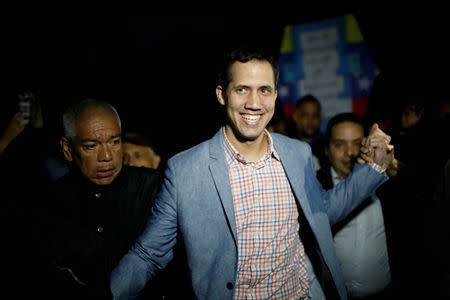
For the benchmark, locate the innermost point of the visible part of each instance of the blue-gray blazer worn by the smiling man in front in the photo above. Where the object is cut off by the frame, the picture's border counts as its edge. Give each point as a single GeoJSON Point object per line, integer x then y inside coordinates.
{"type": "Point", "coordinates": [196, 199]}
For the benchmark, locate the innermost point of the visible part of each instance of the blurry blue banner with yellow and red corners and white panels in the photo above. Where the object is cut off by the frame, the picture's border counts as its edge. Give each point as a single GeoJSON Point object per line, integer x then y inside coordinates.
{"type": "Point", "coordinates": [329, 60]}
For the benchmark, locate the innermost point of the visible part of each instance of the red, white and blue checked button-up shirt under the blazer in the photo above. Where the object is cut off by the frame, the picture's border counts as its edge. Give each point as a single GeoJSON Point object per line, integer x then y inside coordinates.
{"type": "Point", "coordinates": [271, 259]}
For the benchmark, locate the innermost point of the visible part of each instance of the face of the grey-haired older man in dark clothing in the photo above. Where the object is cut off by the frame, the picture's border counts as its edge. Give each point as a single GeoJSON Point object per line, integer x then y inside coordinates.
{"type": "Point", "coordinates": [97, 148]}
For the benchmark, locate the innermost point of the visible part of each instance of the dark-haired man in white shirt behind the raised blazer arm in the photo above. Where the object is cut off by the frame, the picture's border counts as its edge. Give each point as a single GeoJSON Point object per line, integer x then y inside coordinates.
{"type": "Point", "coordinates": [360, 239]}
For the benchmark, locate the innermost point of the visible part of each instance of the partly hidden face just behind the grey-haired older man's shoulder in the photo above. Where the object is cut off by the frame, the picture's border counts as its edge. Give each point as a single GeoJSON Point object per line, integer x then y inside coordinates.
{"type": "Point", "coordinates": [140, 156]}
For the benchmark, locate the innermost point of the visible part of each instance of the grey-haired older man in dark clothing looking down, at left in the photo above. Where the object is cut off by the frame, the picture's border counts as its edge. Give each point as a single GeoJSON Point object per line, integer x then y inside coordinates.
{"type": "Point", "coordinates": [101, 206]}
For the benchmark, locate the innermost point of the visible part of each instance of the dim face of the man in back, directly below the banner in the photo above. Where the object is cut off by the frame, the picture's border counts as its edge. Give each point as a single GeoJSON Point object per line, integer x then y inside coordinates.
{"type": "Point", "coordinates": [307, 118]}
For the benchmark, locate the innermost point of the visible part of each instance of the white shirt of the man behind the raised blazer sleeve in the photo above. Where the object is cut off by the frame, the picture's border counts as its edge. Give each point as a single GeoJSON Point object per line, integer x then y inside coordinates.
{"type": "Point", "coordinates": [362, 251]}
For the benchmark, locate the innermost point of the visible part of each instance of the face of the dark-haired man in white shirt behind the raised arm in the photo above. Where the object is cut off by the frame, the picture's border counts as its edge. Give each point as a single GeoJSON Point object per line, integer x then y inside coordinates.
{"type": "Point", "coordinates": [344, 146]}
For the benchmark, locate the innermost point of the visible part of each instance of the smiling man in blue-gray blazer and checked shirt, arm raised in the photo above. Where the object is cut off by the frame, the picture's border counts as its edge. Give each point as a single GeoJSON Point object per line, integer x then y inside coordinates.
{"type": "Point", "coordinates": [254, 219]}
